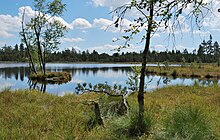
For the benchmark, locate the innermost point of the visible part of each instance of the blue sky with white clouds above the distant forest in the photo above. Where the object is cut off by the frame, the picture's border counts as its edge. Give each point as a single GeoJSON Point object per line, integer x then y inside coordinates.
{"type": "Point", "coordinates": [88, 21]}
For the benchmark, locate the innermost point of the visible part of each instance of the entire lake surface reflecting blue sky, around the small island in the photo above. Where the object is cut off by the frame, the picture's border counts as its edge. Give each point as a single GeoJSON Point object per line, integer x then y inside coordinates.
{"type": "Point", "coordinates": [14, 76]}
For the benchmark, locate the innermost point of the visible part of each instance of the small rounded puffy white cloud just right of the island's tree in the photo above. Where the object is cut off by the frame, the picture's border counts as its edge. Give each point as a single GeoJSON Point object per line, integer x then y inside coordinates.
{"type": "Point", "coordinates": [81, 23]}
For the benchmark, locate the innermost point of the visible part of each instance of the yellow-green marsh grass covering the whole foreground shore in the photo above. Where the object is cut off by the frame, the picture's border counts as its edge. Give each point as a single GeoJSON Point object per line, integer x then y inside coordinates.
{"type": "Point", "coordinates": [176, 112]}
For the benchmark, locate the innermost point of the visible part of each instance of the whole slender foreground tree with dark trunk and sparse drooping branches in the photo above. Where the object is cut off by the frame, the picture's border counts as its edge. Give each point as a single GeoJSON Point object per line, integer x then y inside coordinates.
{"type": "Point", "coordinates": [154, 14]}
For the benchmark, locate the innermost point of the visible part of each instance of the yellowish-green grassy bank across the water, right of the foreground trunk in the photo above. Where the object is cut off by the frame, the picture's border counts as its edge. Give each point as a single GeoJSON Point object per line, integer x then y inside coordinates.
{"type": "Point", "coordinates": [202, 71]}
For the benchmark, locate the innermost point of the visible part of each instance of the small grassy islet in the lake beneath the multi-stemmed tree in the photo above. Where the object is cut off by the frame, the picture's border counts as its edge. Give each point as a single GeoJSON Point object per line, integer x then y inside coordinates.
{"type": "Point", "coordinates": [51, 77]}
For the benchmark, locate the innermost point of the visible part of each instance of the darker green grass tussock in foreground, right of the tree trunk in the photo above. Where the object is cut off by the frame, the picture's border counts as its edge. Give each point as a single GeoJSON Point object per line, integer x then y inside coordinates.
{"type": "Point", "coordinates": [189, 123]}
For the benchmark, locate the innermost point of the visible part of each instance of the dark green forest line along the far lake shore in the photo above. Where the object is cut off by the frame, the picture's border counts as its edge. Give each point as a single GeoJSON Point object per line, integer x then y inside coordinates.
{"type": "Point", "coordinates": [19, 53]}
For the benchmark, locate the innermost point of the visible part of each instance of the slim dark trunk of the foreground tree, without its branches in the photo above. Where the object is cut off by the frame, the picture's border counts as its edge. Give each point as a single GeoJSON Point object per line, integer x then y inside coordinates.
{"type": "Point", "coordinates": [143, 69]}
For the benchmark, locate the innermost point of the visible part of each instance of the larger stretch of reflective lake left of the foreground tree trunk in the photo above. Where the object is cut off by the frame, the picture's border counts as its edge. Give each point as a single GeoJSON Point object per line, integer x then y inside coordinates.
{"type": "Point", "coordinates": [17, 77]}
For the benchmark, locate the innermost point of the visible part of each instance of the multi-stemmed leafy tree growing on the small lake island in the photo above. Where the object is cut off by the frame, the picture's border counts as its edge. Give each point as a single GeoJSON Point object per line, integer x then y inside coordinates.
{"type": "Point", "coordinates": [42, 33]}
